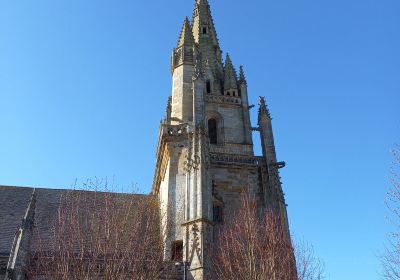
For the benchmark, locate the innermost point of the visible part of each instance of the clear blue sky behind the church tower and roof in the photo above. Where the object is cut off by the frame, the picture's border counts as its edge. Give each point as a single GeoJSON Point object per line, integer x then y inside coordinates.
{"type": "Point", "coordinates": [83, 86]}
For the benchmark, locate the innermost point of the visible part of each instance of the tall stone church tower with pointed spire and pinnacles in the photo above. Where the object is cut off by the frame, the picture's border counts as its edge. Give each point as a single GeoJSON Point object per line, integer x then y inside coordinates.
{"type": "Point", "coordinates": [205, 157]}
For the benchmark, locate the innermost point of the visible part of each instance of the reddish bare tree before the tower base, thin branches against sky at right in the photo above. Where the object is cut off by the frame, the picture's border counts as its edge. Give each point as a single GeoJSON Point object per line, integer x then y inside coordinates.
{"type": "Point", "coordinates": [251, 247]}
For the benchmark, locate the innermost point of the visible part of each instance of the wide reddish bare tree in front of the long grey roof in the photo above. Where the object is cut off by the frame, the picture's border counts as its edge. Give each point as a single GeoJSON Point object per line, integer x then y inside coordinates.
{"type": "Point", "coordinates": [101, 235]}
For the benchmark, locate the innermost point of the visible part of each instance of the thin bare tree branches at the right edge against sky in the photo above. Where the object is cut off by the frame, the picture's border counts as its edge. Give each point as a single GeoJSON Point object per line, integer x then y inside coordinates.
{"type": "Point", "coordinates": [391, 258]}
